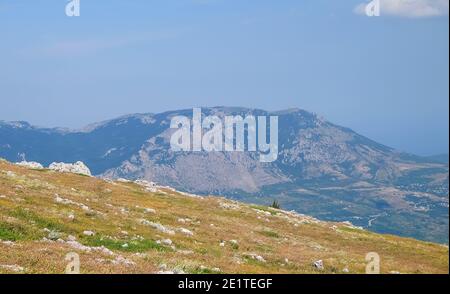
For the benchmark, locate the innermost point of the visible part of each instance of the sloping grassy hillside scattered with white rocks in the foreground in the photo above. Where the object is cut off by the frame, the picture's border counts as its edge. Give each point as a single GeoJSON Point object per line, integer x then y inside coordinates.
{"type": "Point", "coordinates": [122, 227]}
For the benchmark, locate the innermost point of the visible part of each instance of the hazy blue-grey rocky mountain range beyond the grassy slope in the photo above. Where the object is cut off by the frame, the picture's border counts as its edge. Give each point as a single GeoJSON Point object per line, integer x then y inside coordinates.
{"type": "Point", "coordinates": [324, 170]}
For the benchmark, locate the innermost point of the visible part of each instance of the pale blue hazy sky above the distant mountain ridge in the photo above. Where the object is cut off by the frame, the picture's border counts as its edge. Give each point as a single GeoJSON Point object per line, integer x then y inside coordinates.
{"type": "Point", "coordinates": [385, 77]}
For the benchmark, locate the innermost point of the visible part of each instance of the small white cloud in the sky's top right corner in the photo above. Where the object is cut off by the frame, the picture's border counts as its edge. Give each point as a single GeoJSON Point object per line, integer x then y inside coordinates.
{"type": "Point", "coordinates": [409, 8]}
